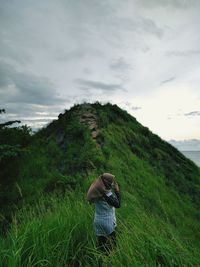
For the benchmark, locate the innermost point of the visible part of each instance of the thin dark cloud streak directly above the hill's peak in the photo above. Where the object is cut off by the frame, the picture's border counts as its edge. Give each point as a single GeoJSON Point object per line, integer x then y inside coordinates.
{"type": "Point", "coordinates": [87, 84]}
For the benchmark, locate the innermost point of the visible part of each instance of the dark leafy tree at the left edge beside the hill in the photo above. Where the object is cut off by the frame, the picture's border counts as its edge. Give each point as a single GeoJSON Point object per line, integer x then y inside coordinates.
{"type": "Point", "coordinates": [13, 146]}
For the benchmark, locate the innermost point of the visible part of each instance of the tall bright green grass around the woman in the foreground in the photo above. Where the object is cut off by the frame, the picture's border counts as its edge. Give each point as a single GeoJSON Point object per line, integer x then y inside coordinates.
{"type": "Point", "coordinates": [58, 231]}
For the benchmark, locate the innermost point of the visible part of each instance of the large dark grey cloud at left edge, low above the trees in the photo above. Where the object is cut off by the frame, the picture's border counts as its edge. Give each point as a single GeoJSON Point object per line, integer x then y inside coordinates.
{"type": "Point", "coordinates": [21, 87]}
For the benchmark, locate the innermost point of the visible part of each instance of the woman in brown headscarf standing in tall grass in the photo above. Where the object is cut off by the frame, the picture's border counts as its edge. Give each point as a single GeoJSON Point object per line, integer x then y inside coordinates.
{"type": "Point", "coordinates": [105, 201]}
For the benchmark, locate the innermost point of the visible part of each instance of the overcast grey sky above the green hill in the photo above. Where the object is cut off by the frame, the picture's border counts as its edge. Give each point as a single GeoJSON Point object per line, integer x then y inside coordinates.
{"type": "Point", "coordinates": [143, 55]}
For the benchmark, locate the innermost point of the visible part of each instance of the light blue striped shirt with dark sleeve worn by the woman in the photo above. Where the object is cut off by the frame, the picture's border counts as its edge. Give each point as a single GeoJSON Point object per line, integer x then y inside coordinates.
{"type": "Point", "coordinates": [105, 219]}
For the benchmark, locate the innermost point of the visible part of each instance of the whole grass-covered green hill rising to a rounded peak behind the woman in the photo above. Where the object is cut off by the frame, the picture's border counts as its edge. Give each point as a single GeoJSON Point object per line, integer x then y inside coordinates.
{"type": "Point", "coordinates": [44, 177]}
